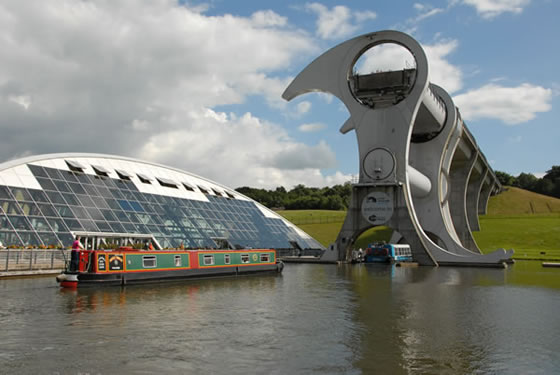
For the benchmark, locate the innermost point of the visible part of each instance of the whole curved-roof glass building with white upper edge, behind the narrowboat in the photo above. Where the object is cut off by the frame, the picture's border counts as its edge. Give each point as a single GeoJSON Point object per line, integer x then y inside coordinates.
{"type": "Point", "coordinates": [48, 200]}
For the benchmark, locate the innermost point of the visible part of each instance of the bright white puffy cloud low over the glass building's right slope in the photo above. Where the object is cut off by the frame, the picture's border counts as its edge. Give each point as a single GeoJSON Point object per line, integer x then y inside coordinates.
{"type": "Point", "coordinates": [215, 145]}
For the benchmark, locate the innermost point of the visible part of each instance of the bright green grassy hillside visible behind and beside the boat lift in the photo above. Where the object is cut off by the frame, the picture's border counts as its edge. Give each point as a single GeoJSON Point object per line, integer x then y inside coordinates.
{"type": "Point", "coordinates": [517, 219]}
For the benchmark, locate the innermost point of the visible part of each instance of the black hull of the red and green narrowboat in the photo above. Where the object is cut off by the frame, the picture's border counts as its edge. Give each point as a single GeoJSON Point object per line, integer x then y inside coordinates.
{"type": "Point", "coordinates": [131, 278]}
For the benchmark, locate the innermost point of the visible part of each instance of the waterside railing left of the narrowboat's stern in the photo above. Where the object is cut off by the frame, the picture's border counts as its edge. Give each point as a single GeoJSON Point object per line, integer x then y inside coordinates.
{"type": "Point", "coordinates": [34, 259]}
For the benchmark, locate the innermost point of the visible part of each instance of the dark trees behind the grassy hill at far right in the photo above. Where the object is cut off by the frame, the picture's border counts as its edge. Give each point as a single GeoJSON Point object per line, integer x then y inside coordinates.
{"type": "Point", "coordinates": [549, 184]}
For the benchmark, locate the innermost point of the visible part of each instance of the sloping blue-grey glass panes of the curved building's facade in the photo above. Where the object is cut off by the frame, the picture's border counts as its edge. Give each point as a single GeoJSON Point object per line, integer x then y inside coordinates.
{"type": "Point", "coordinates": [72, 201]}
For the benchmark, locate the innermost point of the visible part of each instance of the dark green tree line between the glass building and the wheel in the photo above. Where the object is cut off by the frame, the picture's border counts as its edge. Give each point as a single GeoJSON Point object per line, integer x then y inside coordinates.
{"type": "Point", "coordinates": [301, 197]}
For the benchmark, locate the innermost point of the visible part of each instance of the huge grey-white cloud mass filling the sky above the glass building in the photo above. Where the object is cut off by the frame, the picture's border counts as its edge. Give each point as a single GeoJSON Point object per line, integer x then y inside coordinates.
{"type": "Point", "coordinates": [142, 79]}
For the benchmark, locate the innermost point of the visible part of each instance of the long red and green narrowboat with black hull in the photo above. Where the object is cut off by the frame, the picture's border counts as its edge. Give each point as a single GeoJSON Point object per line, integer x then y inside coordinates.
{"type": "Point", "coordinates": [125, 265]}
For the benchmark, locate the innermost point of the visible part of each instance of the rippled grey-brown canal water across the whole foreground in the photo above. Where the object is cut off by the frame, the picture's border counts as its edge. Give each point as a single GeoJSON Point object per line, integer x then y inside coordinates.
{"type": "Point", "coordinates": [312, 319]}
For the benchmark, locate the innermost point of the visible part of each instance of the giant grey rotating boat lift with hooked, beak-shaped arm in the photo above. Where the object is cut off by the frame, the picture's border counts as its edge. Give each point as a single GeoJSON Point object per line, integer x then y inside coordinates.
{"type": "Point", "coordinates": [421, 172]}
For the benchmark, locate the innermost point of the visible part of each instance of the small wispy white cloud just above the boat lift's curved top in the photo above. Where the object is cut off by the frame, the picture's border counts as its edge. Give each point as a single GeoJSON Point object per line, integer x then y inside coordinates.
{"type": "Point", "coordinates": [339, 21]}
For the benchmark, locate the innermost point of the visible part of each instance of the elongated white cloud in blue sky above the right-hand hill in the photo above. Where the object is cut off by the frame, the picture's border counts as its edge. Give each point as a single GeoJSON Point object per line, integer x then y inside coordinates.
{"type": "Point", "coordinates": [512, 105]}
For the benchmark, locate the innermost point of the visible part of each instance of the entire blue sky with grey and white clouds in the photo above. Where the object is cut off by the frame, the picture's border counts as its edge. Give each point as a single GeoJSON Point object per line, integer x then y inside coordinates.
{"type": "Point", "coordinates": [197, 85]}
